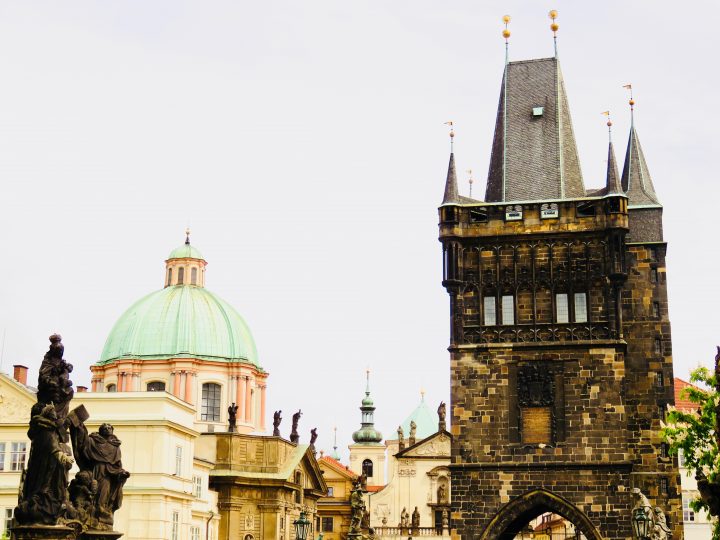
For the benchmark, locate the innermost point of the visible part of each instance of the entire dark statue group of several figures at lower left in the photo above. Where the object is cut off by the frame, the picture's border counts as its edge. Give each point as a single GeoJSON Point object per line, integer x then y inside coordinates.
{"type": "Point", "coordinates": [47, 499]}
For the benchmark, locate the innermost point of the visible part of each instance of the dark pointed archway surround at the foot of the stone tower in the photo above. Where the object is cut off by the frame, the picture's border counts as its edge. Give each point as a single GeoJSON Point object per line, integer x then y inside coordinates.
{"type": "Point", "coordinates": [518, 512]}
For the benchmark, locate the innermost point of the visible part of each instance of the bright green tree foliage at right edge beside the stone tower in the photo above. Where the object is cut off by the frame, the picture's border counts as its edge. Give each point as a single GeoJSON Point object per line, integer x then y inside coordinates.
{"type": "Point", "coordinates": [694, 434]}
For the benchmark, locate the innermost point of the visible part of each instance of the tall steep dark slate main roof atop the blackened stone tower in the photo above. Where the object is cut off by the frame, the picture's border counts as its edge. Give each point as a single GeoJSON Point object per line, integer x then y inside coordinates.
{"type": "Point", "coordinates": [533, 157]}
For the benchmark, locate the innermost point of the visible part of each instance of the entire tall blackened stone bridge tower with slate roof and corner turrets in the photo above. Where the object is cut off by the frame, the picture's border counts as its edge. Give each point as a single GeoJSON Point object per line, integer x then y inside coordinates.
{"type": "Point", "coordinates": [560, 348]}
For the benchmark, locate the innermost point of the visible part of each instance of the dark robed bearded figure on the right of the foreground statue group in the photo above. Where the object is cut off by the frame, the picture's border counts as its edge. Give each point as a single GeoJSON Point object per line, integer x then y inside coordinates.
{"type": "Point", "coordinates": [99, 455]}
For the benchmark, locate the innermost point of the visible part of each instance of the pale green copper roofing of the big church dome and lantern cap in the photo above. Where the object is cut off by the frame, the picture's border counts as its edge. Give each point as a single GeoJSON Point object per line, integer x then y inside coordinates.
{"type": "Point", "coordinates": [181, 321]}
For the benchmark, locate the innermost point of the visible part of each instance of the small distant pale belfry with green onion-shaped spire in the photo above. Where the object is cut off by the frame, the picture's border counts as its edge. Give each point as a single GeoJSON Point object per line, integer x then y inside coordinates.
{"type": "Point", "coordinates": [367, 455]}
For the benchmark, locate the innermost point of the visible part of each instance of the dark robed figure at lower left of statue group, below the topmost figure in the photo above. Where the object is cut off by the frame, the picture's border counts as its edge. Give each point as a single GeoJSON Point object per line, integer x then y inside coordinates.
{"type": "Point", "coordinates": [43, 491]}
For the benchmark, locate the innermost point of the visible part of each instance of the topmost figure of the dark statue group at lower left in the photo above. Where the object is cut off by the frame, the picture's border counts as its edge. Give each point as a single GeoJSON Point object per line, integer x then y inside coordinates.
{"type": "Point", "coordinates": [54, 384]}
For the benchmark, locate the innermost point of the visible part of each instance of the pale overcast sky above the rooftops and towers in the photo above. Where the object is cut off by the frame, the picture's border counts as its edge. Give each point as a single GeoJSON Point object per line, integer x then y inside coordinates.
{"type": "Point", "coordinates": [303, 143]}
